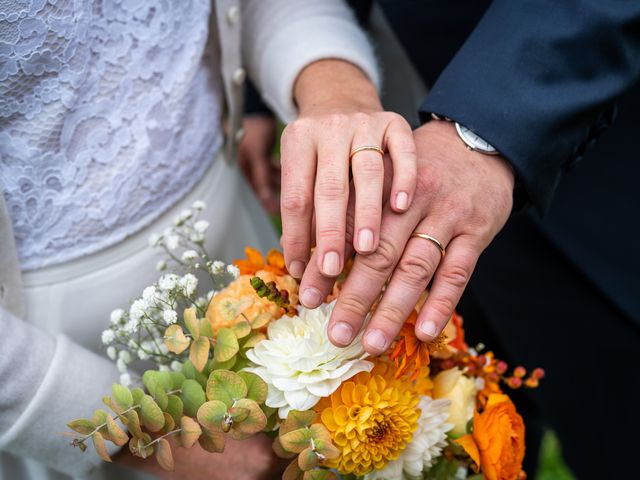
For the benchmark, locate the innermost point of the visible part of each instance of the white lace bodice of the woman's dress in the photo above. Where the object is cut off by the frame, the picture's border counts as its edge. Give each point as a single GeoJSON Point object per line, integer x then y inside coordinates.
{"type": "Point", "coordinates": [109, 113]}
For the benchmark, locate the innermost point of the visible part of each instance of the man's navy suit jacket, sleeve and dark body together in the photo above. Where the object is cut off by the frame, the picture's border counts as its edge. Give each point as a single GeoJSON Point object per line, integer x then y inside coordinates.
{"type": "Point", "coordinates": [540, 79]}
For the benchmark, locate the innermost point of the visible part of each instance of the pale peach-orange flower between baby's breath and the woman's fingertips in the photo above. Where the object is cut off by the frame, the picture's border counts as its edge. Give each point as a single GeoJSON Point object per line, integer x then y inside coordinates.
{"type": "Point", "coordinates": [239, 301]}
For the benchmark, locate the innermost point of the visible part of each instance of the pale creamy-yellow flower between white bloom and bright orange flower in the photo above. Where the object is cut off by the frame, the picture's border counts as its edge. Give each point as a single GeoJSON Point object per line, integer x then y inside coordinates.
{"type": "Point", "coordinates": [461, 390]}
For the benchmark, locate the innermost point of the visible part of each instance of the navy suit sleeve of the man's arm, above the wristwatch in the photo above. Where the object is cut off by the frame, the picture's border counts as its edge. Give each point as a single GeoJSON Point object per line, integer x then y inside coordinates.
{"type": "Point", "coordinates": [538, 80]}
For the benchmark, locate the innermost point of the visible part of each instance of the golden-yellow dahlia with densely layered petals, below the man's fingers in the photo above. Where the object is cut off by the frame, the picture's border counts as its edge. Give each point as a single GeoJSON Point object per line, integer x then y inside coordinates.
{"type": "Point", "coordinates": [371, 419]}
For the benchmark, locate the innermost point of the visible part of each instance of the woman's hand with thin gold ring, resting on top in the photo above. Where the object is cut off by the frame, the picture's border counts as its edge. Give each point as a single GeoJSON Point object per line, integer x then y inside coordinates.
{"type": "Point", "coordinates": [339, 112]}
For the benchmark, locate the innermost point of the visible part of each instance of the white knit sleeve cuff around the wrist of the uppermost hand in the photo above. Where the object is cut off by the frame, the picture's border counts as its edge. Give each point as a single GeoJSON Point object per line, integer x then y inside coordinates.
{"type": "Point", "coordinates": [297, 44]}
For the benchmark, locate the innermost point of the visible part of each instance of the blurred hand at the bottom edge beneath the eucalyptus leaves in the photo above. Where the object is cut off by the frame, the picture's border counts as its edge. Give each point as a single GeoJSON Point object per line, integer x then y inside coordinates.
{"type": "Point", "coordinates": [251, 459]}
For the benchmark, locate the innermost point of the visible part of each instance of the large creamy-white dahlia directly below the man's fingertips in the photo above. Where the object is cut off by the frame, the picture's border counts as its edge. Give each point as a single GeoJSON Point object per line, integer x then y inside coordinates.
{"type": "Point", "coordinates": [299, 363]}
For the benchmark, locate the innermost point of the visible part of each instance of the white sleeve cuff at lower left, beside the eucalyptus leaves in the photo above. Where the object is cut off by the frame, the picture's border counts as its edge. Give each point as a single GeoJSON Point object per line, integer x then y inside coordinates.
{"type": "Point", "coordinates": [73, 387]}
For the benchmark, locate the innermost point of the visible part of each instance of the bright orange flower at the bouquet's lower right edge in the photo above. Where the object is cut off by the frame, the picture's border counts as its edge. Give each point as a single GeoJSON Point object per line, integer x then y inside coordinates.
{"type": "Point", "coordinates": [497, 442]}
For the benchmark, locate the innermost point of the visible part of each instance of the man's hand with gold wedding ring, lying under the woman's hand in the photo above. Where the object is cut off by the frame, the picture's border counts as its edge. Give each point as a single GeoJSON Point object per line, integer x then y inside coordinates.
{"type": "Point", "coordinates": [463, 198]}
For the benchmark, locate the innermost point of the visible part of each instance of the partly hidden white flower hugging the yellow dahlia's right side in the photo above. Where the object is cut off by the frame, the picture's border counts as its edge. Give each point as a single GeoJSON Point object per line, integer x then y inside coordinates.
{"type": "Point", "coordinates": [426, 446]}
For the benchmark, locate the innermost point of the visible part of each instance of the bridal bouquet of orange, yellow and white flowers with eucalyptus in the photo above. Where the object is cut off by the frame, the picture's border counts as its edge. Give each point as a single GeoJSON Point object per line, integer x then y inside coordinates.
{"type": "Point", "coordinates": [241, 356]}
